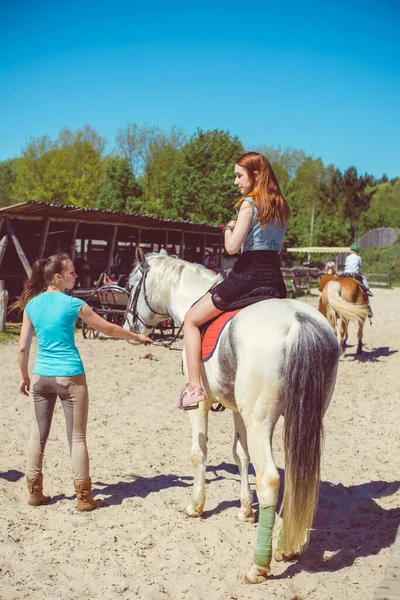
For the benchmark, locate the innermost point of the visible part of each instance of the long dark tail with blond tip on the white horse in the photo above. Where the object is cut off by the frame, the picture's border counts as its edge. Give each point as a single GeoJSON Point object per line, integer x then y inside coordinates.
{"type": "Point", "coordinates": [309, 374]}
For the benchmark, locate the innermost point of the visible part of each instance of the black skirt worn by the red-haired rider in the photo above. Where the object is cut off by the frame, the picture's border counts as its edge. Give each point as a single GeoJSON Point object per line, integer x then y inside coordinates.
{"type": "Point", "coordinates": [253, 269]}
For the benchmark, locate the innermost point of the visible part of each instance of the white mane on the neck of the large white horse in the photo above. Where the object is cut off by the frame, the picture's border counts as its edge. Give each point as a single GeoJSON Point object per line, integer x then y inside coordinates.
{"type": "Point", "coordinates": [168, 270]}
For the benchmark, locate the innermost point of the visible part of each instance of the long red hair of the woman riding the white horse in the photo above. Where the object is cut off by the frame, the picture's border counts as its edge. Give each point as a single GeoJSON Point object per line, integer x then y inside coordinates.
{"type": "Point", "coordinates": [265, 191]}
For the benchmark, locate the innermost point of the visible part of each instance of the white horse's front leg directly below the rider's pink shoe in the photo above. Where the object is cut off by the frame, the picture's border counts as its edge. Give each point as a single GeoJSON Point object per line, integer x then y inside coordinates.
{"type": "Point", "coordinates": [199, 423]}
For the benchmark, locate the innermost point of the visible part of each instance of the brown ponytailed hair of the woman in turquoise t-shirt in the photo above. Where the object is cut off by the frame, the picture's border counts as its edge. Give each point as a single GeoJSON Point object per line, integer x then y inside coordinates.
{"type": "Point", "coordinates": [42, 275]}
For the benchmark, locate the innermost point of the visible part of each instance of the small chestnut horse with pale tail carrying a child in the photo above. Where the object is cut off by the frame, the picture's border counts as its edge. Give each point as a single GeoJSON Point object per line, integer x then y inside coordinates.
{"type": "Point", "coordinates": [346, 299]}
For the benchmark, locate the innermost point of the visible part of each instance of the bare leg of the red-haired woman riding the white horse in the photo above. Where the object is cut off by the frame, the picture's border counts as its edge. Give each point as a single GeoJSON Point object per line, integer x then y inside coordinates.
{"type": "Point", "coordinates": [203, 311]}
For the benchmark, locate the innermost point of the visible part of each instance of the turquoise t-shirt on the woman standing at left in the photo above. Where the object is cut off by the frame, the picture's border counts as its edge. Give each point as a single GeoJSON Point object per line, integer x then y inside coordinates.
{"type": "Point", "coordinates": [53, 315]}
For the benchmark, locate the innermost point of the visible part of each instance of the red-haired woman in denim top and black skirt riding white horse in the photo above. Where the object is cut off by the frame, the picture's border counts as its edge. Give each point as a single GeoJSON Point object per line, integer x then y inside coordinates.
{"type": "Point", "coordinates": [262, 220]}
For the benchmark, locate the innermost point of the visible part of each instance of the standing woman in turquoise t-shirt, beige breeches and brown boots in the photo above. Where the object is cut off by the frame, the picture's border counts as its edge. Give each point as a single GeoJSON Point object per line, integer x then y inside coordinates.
{"type": "Point", "coordinates": [58, 370]}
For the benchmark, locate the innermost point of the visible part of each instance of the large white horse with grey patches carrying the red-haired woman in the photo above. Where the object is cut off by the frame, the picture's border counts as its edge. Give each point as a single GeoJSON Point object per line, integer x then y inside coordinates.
{"type": "Point", "coordinates": [273, 357]}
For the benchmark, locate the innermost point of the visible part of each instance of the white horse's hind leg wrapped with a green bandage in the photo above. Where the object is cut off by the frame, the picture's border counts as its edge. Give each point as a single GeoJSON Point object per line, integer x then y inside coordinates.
{"type": "Point", "coordinates": [267, 485]}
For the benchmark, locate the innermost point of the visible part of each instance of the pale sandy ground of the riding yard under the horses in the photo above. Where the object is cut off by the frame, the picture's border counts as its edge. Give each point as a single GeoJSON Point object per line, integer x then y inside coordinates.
{"type": "Point", "coordinates": [141, 545]}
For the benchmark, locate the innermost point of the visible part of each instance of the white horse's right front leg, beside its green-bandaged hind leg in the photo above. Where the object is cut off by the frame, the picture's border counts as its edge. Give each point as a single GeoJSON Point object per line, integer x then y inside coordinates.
{"type": "Point", "coordinates": [242, 459]}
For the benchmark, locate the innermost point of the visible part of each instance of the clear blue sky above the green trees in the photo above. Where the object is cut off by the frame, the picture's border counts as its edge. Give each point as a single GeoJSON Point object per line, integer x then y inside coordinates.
{"type": "Point", "coordinates": [323, 77]}
